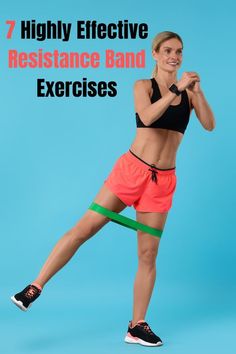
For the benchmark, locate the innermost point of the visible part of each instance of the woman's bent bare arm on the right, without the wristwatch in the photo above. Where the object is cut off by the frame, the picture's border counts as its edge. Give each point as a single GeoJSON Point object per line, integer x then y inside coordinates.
{"type": "Point", "coordinates": [201, 107]}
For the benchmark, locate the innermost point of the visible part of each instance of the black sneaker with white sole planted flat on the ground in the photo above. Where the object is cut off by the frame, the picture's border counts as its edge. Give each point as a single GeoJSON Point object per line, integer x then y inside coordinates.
{"type": "Point", "coordinates": [142, 334]}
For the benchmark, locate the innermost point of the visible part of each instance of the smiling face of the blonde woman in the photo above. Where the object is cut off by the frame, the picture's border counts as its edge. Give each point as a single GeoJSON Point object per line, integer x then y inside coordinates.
{"type": "Point", "coordinates": [169, 56]}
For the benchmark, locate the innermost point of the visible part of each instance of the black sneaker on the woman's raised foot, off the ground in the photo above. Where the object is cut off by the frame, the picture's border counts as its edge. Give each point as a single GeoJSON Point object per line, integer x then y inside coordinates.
{"type": "Point", "coordinates": [25, 298]}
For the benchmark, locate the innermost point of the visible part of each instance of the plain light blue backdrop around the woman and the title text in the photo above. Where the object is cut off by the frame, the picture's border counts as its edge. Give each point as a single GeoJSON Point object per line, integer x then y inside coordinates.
{"type": "Point", "coordinates": [54, 157]}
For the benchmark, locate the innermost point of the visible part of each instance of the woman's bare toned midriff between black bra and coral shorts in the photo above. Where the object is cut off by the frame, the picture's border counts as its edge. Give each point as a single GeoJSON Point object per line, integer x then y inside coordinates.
{"type": "Point", "coordinates": [157, 146]}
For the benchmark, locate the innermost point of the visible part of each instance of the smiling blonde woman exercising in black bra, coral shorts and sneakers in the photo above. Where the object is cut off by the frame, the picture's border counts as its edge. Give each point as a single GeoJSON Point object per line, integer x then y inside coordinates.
{"type": "Point", "coordinates": [143, 177]}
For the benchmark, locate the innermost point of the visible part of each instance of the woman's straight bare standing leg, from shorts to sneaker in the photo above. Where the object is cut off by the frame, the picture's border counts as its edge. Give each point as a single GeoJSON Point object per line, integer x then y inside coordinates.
{"type": "Point", "coordinates": [146, 274]}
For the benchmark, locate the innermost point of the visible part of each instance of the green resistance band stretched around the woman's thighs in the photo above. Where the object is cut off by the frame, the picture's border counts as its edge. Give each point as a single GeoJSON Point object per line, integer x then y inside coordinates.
{"type": "Point", "coordinates": [124, 221]}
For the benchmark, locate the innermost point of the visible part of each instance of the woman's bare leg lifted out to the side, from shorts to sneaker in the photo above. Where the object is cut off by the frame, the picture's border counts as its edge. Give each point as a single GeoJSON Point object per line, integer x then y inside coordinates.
{"type": "Point", "coordinates": [86, 227]}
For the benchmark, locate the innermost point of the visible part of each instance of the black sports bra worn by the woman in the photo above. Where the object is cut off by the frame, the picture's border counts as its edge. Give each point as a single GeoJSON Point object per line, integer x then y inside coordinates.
{"type": "Point", "coordinates": [176, 117]}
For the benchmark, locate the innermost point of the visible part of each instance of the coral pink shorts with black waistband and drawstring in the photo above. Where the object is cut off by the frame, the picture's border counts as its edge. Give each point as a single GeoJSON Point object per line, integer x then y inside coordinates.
{"type": "Point", "coordinates": [137, 183]}
